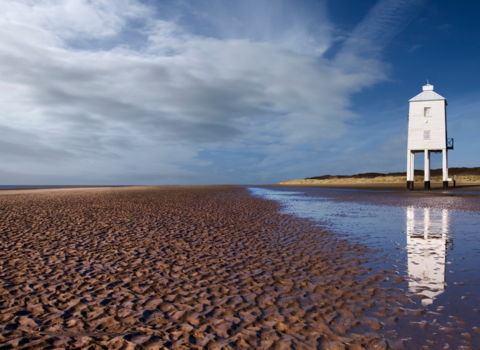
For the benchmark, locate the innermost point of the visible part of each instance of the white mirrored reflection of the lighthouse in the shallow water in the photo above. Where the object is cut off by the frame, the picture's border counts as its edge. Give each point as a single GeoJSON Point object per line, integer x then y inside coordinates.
{"type": "Point", "coordinates": [427, 235]}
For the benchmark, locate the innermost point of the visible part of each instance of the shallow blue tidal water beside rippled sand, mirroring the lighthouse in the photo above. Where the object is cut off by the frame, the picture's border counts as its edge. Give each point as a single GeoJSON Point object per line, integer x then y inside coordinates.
{"type": "Point", "coordinates": [435, 247]}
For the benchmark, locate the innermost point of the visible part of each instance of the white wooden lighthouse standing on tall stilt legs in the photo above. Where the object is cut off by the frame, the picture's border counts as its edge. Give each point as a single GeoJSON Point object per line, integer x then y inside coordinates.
{"type": "Point", "coordinates": [427, 133]}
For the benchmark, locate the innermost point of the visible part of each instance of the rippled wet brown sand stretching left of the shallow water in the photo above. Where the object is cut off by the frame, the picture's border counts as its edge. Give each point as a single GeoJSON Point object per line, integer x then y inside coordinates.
{"type": "Point", "coordinates": [199, 267]}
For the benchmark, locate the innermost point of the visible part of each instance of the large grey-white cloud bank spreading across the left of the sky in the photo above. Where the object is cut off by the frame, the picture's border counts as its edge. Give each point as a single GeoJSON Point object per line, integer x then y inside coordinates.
{"type": "Point", "coordinates": [121, 114]}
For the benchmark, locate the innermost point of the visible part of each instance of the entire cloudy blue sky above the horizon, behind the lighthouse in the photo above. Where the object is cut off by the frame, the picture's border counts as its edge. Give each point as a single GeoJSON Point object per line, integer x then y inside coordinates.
{"type": "Point", "coordinates": [244, 92]}
